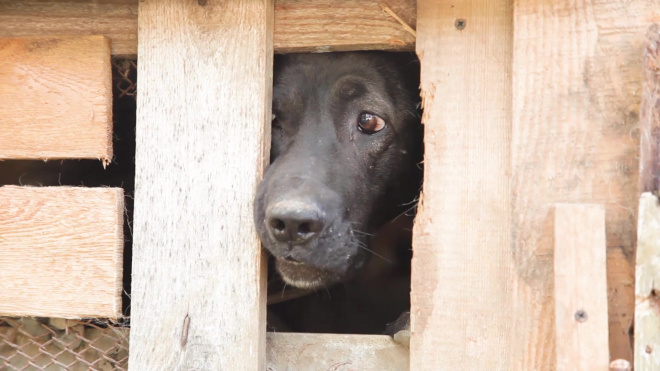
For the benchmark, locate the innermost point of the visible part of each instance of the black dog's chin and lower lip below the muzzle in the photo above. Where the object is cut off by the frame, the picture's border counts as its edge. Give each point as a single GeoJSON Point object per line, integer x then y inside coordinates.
{"type": "Point", "coordinates": [304, 276]}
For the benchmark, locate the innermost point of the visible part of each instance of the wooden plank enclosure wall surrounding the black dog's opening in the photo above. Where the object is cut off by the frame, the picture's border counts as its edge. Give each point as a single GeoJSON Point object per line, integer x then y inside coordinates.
{"type": "Point", "coordinates": [540, 181]}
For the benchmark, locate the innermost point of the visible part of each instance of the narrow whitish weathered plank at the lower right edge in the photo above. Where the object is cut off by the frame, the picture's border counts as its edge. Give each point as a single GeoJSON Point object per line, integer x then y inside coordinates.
{"type": "Point", "coordinates": [647, 272]}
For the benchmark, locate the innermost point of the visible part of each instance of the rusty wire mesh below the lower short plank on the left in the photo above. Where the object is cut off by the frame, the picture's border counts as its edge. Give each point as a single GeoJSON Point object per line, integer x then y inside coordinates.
{"type": "Point", "coordinates": [59, 344]}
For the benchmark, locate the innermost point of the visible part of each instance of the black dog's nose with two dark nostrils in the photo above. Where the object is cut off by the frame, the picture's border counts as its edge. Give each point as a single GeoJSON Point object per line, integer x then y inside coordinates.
{"type": "Point", "coordinates": [294, 222]}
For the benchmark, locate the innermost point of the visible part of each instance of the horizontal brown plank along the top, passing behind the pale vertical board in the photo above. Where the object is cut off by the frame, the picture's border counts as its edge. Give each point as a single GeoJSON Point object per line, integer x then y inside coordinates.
{"type": "Point", "coordinates": [300, 25]}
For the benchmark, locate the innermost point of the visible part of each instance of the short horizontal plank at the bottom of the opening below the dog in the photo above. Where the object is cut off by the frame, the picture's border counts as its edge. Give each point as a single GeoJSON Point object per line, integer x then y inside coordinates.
{"type": "Point", "coordinates": [294, 351]}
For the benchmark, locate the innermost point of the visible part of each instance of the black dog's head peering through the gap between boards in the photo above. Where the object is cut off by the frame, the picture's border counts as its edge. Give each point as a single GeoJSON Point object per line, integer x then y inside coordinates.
{"type": "Point", "coordinates": [346, 143]}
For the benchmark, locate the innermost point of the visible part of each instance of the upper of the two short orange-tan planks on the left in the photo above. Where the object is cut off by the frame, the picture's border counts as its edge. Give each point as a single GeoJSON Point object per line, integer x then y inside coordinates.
{"type": "Point", "coordinates": [56, 95]}
